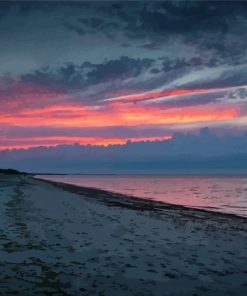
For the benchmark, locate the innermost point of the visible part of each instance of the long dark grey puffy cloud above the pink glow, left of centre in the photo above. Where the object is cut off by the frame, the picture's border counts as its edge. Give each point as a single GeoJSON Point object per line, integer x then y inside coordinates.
{"type": "Point", "coordinates": [75, 77]}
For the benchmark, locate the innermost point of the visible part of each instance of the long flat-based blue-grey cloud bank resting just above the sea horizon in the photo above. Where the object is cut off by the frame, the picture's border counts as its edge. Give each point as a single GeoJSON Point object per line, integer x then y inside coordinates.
{"type": "Point", "coordinates": [201, 150]}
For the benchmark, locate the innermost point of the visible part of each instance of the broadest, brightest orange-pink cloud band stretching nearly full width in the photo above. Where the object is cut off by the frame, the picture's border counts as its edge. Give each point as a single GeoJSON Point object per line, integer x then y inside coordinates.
{"type": "Point", "coordinates": [77, 116]}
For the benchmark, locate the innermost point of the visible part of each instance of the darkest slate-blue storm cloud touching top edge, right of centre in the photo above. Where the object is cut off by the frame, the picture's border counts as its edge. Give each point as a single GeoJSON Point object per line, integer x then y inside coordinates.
{"type": "Point", "coordinates": [183, 18]}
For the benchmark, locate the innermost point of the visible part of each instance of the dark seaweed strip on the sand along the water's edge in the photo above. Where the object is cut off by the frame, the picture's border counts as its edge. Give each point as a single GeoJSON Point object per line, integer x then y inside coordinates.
{"type": "Point", "coordinates": [138, 203]}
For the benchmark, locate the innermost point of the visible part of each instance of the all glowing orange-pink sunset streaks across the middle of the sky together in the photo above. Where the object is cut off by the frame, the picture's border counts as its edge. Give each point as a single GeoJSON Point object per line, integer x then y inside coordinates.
{"type": "Point", "coordinates": [71, 115]}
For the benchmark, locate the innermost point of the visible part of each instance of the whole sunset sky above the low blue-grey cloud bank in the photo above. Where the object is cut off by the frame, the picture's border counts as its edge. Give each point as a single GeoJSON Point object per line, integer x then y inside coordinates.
{"type": "Point", "coordinates": [108, 72]}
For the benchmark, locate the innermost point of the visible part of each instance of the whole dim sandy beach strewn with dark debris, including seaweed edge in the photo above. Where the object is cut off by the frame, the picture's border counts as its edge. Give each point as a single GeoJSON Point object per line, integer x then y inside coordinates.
{"type": "Point", "coordinates": [58, 239]}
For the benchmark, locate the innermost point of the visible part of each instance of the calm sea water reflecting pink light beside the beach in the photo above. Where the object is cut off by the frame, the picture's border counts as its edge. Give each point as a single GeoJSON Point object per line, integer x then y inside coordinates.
{"type": "Point", "coordinates": [222, 194]}
